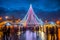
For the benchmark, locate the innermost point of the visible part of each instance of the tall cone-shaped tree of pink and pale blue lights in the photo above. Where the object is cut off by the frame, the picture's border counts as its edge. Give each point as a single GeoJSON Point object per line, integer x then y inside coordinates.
{"type": "Point", "coordinates": [31, 18]}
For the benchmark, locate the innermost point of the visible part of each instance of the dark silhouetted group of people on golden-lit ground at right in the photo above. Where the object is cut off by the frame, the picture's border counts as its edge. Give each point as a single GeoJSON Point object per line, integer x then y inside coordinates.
{"type": "Point", "coordinates": [53, 32]}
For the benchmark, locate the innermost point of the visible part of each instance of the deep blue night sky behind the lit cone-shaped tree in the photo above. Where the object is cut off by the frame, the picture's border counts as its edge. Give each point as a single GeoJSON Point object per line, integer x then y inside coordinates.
{"type": "Point", "coordinates": [44, 9]}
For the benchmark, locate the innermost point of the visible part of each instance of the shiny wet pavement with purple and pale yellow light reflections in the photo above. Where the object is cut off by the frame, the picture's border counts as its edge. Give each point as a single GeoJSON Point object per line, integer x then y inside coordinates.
{"type": "Point", "coordinates": [28, 35]}
